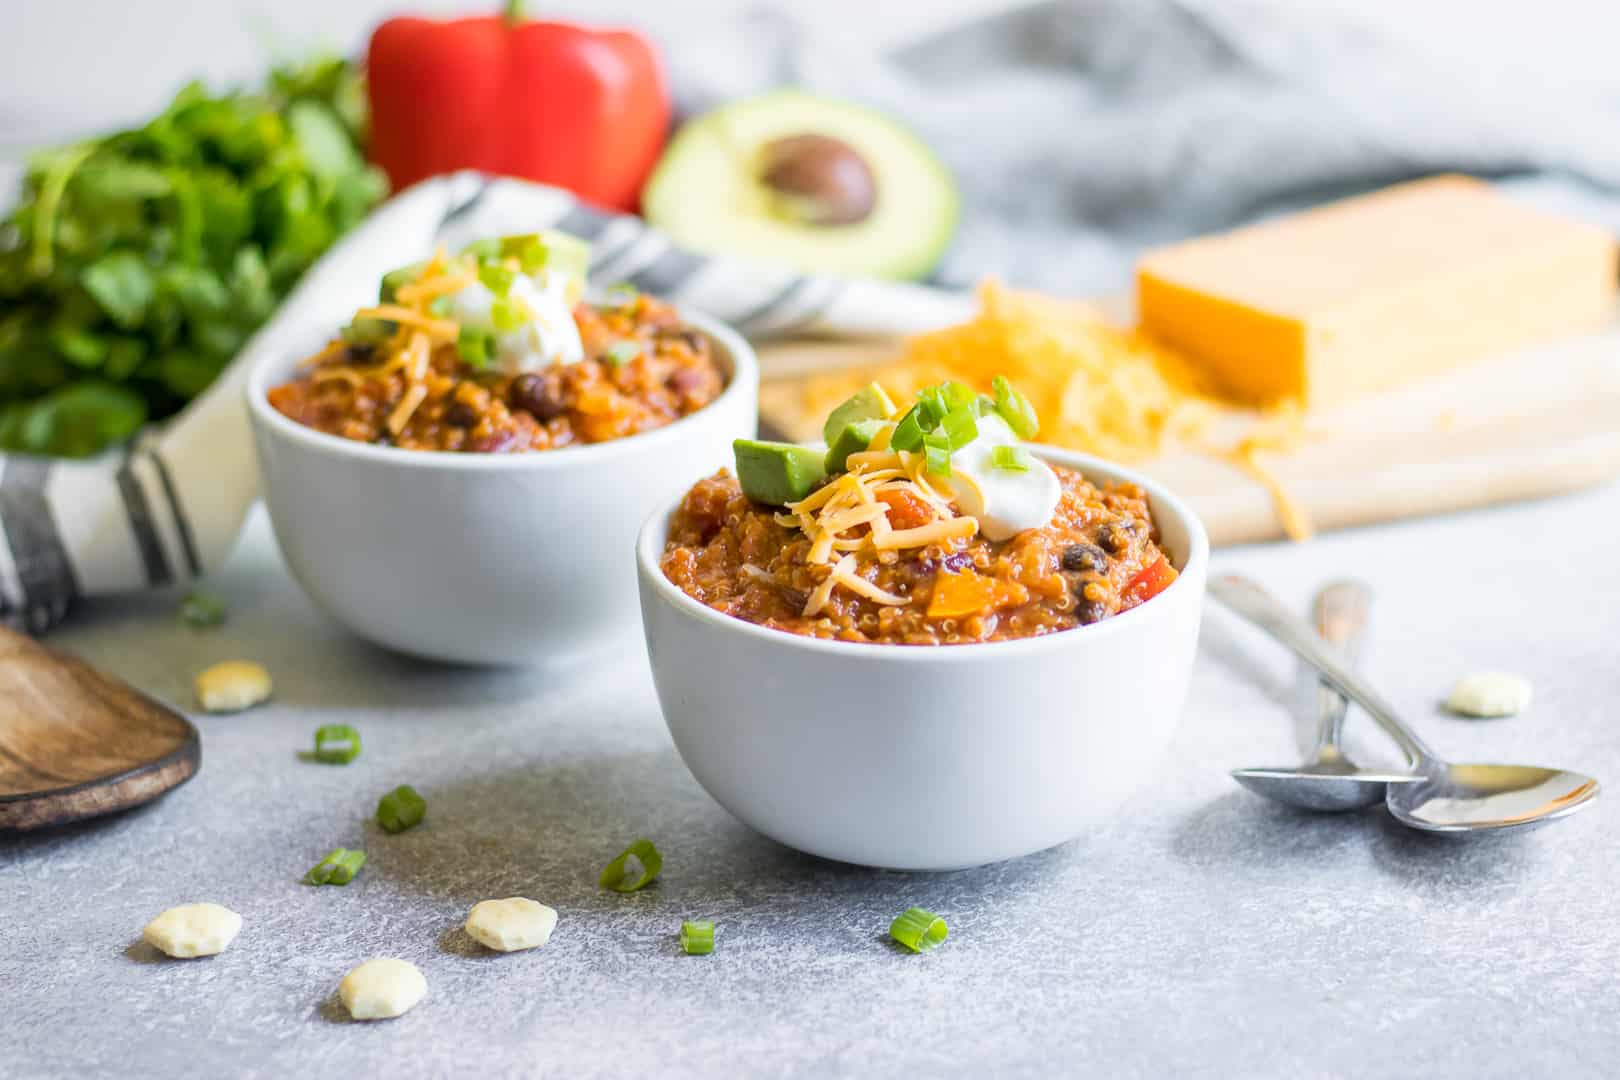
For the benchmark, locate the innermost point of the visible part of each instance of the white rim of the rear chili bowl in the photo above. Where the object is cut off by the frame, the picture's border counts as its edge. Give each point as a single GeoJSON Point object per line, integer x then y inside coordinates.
{"type": "Point", "coordinates": [744, 373]}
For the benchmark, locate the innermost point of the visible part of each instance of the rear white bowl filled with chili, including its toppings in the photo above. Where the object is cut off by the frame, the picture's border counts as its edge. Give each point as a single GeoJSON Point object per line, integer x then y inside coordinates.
{"type": "Point", "coordinates": [453, 474]}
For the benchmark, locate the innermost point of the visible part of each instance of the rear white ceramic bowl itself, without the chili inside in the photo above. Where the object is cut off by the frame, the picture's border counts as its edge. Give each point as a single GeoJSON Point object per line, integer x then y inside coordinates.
{"type": "Point", "coordinates": [482, 558]}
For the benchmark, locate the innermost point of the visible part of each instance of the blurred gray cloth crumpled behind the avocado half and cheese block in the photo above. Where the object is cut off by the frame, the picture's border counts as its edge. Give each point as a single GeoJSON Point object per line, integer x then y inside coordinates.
{"type": "Point", "coordinates": [1088, 130]}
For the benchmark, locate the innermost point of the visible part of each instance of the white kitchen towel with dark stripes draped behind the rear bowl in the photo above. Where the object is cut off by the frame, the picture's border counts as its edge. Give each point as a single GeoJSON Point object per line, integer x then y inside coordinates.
{"type": "Point", "coordinates": [171, 506]}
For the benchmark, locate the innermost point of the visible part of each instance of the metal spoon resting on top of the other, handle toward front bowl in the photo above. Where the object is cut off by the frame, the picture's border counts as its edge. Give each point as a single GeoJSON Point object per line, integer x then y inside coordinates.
{"type": "Point", "coordinates": [1447, 797]}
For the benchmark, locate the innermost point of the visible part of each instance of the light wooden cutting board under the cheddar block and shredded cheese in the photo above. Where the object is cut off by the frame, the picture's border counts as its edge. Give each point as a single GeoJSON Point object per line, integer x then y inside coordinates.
{"type": "Point", "coordinates": [1540, 422]}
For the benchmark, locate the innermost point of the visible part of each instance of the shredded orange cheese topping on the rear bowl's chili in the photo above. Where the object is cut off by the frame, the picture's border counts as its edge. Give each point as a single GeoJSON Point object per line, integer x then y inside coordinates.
{"type": "Point", "coordinates": [417, 334]}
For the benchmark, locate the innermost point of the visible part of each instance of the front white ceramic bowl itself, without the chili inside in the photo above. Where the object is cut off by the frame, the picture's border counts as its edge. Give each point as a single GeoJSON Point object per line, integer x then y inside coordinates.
{"type": "Point", "coordinates": [927, 757]}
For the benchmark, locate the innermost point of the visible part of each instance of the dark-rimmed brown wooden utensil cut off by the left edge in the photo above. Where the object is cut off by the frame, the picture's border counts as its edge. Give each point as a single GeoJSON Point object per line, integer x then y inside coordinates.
{"type": "Point", "coordinates": [77, 744]}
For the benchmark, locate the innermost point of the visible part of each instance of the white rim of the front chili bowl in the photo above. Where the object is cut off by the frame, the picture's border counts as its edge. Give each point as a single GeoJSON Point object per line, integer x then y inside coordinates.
{"type": "Point", "coordinates": [1162, 500]}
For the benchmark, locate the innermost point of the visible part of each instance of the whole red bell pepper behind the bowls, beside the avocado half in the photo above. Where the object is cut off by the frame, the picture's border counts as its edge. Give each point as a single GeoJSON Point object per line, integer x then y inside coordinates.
{"type": "Point", "coordinates": [563, 104]}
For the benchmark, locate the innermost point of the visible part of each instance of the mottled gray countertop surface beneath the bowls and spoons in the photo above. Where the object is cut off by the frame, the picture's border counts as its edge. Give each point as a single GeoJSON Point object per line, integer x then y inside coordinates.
{"type": "Point", "coordinates": [1201, 933]}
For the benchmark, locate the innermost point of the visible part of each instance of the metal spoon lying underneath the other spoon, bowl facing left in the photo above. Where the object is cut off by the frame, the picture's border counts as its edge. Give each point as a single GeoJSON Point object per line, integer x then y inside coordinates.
{"type": "Point", "coordinates": [1331, 781]}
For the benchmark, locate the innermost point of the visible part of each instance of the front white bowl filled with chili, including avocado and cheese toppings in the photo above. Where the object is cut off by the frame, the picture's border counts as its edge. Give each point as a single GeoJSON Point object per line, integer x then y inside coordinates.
{"type": "Point", "coordinates": [921, 668]}
